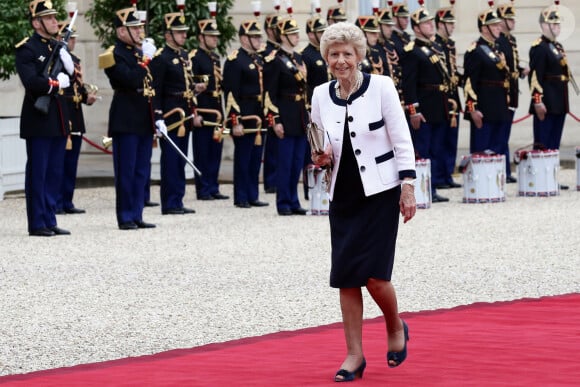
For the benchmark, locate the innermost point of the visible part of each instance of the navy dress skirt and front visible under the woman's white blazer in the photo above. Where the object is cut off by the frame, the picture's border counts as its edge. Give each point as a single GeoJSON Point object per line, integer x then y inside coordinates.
{"type": "Point", "coordinates": [363, 229]}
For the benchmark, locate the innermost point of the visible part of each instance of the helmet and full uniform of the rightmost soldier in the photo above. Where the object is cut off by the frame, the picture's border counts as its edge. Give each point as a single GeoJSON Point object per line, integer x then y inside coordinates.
{"type": "Point", "coordinates": [548, 78]}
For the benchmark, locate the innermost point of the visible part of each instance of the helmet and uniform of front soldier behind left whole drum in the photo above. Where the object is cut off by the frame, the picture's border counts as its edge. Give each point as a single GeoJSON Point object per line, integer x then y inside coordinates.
{"type": "Point", "coordinates": [487, 90]}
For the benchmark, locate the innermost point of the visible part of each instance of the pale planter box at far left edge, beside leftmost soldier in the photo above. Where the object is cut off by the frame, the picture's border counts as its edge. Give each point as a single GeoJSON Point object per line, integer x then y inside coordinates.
{"type": "Point", "coordinates": [12, 156]}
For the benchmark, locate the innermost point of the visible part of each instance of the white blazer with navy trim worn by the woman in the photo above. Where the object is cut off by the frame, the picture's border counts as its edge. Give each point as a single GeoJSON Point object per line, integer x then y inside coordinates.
{"type": "Point", "coordinates": [380, 137]}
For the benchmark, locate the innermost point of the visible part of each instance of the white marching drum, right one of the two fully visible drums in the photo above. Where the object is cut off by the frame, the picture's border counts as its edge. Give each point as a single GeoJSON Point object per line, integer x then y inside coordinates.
{"type": "Point", "coordinates": [538, 172]}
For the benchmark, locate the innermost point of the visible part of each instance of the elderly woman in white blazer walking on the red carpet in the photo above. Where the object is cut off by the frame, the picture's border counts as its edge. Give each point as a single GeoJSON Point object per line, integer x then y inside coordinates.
{"type": "Point", "coordinates": [370, 150]}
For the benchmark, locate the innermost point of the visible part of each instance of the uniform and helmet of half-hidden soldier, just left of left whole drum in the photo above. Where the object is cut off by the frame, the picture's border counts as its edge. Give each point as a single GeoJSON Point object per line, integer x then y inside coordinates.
{"type": "Point", "coordinates": [450, 138]}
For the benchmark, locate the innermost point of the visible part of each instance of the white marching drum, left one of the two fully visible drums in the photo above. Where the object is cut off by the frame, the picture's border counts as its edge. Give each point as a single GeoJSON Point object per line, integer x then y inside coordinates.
{"type": "Point", "coordinates": [483, 178]}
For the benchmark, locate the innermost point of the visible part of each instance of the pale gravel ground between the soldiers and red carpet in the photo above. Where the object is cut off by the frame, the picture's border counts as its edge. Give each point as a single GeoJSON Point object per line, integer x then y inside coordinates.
{"type": "Point", "coordinates": [226, 273]}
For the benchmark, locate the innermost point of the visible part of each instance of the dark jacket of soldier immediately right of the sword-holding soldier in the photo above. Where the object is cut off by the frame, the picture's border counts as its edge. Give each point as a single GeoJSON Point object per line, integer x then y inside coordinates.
{"type": "Point", "coordinates": [173, 83]}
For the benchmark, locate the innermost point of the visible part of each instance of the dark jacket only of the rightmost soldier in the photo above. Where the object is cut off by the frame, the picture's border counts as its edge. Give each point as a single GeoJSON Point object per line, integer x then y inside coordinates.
{"type": "Point", "coordinates": [549, 75]}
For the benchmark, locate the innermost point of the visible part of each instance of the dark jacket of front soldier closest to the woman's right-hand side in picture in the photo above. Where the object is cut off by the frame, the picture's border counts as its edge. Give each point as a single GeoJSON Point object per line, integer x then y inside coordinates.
{"type": "Point", "coordinates": [423, 82]}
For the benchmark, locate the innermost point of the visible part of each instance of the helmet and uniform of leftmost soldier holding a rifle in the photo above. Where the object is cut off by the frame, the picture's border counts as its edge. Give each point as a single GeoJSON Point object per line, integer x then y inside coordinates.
{"type": "Point", "coordinates": [45, 134]}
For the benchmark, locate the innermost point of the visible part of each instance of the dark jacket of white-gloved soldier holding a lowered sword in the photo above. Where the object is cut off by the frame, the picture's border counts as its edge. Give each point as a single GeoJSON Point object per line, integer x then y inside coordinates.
{"type": "Point", "coordinates": [131, 110]}
